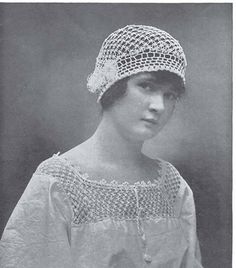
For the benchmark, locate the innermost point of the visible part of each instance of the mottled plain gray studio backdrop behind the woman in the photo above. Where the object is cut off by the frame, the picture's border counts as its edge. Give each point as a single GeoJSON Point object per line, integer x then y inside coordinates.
{"type": "Point", "coordinates": [47, 51]}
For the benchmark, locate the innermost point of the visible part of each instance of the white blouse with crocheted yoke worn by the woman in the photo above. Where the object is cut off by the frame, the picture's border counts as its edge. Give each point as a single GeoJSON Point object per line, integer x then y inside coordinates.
{"type": "Point", "coordinates": [65, 220]}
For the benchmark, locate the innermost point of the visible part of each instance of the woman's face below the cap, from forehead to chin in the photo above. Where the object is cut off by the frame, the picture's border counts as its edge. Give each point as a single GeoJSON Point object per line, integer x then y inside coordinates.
{"type": "Point", "coordinates": [145, 108]}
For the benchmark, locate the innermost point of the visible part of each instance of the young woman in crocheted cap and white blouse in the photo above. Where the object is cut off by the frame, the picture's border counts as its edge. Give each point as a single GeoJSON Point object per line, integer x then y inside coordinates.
{"type": "Point", "coordinates": [104, 203]}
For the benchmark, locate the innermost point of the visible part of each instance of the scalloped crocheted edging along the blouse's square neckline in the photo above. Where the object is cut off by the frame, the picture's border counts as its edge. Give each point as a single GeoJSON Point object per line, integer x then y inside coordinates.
{"type": "Point", "coordinates": [114, 183]}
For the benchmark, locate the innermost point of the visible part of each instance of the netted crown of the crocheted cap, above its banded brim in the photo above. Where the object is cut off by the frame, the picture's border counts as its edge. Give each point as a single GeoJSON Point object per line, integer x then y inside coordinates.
{"type": "Point", "coordinates": [133, 39]}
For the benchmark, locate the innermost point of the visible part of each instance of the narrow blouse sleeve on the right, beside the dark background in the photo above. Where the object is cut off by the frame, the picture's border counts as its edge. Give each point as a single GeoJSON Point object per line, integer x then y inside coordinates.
{"type": "Point", "coordinates": [188, 223]}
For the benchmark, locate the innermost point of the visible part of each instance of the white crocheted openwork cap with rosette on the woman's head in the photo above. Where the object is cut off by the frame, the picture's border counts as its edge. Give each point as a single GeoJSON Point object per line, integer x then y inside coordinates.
{"type": "Point", "coordinates": [134, 49]}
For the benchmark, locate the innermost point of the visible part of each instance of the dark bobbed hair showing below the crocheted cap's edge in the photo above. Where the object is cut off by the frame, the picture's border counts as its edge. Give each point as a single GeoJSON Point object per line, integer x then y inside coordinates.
{"type": "Point", "coordinates": [118, 89]}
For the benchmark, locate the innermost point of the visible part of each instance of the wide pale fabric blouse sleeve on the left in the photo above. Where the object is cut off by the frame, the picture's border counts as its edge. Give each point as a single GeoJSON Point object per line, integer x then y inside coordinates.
{"type": "Point", "coordinates": [38, 231]}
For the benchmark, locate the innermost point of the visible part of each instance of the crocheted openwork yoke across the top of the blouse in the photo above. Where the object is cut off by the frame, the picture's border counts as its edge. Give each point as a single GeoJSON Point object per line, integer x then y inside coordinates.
{"type": "Point", "coordinates": [94, 201]}
